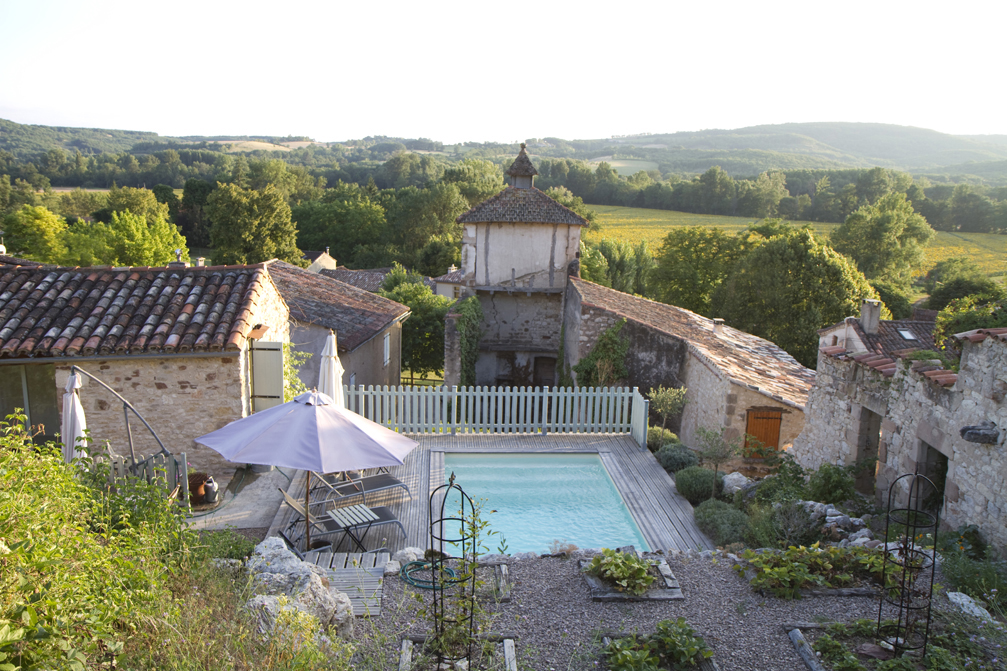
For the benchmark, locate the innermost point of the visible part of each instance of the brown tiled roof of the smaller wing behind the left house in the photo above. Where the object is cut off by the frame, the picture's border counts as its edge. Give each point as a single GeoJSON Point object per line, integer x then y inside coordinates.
{"type": "Point", "coordinates": [356, 315]}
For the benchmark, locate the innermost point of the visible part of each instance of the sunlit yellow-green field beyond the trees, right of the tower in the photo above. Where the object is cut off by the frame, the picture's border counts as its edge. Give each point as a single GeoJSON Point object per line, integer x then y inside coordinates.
{"type": "Point", "coordinates": [636, 224]}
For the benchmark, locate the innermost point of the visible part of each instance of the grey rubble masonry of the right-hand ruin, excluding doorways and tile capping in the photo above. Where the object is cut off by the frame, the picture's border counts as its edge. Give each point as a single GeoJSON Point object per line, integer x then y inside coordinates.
{"type": "Point", "coordinates": [919, 415]}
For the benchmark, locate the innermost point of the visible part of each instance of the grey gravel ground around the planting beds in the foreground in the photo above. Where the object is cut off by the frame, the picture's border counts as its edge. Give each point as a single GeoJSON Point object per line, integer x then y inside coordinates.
{"type": "Point", "coordinates": [557, 624]}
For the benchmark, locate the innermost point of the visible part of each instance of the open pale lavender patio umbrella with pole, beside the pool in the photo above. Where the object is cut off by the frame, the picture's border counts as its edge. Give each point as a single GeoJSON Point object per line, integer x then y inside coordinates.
{"type": "Point", "coordinates": [312, 434]}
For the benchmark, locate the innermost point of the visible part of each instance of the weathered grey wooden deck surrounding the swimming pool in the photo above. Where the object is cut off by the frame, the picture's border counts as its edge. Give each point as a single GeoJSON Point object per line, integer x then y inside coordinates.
{"type": "Point", "coordinates": [664, 517]}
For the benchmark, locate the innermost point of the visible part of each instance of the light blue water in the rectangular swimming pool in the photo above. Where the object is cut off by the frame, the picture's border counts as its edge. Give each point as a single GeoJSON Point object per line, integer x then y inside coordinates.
{"type": "Point", "coordinates": [544, 498]}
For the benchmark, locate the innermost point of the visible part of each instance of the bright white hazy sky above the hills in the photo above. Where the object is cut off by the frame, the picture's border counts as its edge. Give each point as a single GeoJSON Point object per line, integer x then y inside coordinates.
{"type": "Point", "coordinates": [501, 71]}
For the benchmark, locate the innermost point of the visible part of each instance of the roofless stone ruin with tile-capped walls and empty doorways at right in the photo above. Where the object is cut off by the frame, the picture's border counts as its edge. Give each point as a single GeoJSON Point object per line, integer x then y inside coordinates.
{"type": "Point", "coordinates": [918, 417]}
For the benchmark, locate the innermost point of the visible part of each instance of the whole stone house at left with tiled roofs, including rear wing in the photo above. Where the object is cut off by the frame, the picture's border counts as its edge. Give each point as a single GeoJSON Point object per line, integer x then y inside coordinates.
{"type": "Point", "coordinates": [184, 346]}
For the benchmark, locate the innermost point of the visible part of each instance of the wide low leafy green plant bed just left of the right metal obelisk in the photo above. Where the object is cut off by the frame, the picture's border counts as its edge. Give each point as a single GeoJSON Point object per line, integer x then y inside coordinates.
{"type": "Point", "coordinates": [786, 574]}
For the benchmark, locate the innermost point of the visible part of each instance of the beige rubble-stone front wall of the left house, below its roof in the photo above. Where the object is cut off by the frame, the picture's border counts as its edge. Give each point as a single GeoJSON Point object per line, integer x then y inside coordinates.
{"type": "Point", "coordinates": [182, 397]}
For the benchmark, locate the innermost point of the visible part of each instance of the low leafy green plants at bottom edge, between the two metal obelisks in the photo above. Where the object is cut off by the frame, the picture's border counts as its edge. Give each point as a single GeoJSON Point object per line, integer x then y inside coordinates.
{"type": "Point", "coordinates": [674, 645]}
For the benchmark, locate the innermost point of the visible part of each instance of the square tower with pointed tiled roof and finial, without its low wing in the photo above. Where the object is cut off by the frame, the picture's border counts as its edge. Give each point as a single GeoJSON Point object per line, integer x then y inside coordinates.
{"type": "Point", "coordinates": [517, 247]}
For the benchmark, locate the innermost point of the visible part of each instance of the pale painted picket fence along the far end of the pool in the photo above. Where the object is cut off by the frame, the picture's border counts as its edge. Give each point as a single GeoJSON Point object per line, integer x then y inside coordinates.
{"type": "Point", "coordinates": [504, 410]}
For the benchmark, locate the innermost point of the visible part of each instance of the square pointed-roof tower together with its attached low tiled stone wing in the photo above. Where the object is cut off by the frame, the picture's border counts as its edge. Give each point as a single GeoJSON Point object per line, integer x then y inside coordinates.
{"type": "Point", "coordinates": [520, 257]}
